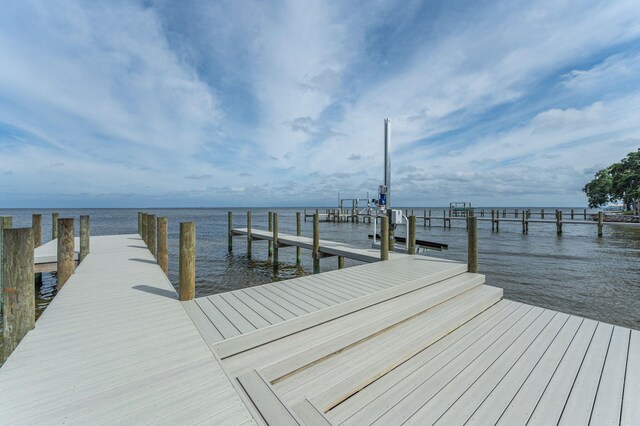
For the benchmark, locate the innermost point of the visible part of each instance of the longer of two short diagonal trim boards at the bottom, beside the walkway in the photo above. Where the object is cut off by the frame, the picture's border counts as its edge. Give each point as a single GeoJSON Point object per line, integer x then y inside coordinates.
{"type": "Point", "coordinates": [271, 408]}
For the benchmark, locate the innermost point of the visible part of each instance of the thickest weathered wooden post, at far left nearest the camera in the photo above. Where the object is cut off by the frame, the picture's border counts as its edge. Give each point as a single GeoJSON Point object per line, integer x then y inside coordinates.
{"type": "Point", "coordinates": [18, 293]}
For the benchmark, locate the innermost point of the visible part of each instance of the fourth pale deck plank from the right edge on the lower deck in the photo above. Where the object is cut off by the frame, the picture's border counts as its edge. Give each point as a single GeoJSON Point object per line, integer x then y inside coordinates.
{"type": "Point", "coordinates": [552, 401]}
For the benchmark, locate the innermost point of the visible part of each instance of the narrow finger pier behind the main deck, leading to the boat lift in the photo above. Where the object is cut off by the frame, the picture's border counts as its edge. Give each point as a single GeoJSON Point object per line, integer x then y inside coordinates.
{"type": "Point", "coordinates": [331, 248]}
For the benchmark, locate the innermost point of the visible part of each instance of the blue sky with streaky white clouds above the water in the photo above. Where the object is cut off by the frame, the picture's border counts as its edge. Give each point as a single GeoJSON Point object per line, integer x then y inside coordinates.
{"type": "Point", "coordinates": [259, 103]}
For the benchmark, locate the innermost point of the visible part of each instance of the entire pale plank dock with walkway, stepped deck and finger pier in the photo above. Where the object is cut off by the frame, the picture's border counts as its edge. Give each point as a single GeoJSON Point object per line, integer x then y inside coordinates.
{"type": "Point", "coordinates": [410, 340]}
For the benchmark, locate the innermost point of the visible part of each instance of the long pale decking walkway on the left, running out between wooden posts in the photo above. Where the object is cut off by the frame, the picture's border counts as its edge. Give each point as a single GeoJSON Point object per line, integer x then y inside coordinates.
{"type": "Point", "coordinates": [115, 346]}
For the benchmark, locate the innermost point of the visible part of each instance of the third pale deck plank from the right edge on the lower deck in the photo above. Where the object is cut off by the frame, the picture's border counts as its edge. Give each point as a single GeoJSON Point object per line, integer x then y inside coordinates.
{"type": "Point", "coordinates": [579, 405]}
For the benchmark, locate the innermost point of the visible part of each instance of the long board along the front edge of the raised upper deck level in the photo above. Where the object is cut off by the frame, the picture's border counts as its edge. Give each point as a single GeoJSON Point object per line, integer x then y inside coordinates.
{"type": "Point", "coordinates": [260, 337]}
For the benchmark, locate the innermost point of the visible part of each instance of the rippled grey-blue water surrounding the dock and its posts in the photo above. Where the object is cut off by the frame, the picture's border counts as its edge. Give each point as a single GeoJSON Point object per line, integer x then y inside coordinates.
{"type": "Point", "coordinates": [577, 273]}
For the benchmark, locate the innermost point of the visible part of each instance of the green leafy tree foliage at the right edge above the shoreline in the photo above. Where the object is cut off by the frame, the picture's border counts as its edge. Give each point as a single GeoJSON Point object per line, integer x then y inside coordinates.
{"type": "Point", "coordinates": [618, 182]}
